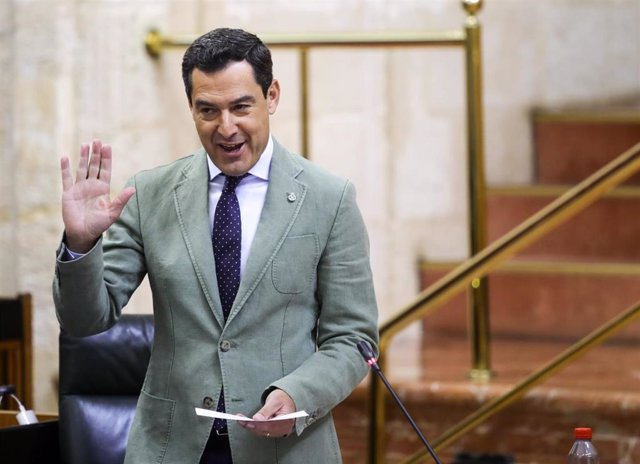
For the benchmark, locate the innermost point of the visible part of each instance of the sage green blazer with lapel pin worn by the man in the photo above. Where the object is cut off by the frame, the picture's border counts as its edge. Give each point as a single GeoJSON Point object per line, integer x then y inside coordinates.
{"type": "Point", "coordinates": [305, 299]}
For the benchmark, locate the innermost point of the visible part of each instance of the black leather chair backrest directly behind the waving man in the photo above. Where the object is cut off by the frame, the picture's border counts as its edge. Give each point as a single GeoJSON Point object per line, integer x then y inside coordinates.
{"type": "Point", "coordinates": [100, 379]}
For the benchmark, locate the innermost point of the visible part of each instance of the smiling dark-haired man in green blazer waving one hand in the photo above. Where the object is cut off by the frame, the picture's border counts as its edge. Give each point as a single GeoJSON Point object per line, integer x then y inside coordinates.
{"type": "Point", "coordinates": [260, 294]}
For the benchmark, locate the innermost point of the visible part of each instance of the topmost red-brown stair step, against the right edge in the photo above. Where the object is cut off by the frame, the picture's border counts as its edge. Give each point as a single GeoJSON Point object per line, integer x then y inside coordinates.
{"type": "Point", "coordinates": [571, 144]}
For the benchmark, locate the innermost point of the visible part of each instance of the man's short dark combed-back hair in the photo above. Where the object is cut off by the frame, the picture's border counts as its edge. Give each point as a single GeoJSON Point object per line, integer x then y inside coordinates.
{"type": "Point", "coordinates": [216, 49]}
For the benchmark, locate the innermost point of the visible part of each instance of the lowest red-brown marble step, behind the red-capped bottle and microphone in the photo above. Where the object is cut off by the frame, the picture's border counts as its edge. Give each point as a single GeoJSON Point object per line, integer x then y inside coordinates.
{"type": "Point", "coordinates": [592, 392]}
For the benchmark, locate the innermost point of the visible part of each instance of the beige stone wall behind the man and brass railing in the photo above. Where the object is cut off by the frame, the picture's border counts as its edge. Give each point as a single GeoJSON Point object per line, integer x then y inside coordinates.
{"type": "Point", "coordinates": [393, 121]}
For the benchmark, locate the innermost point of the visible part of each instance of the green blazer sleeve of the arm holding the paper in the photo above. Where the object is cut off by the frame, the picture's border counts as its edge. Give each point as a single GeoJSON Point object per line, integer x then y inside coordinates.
{"type": "Point", "coordinates": [348, 314]}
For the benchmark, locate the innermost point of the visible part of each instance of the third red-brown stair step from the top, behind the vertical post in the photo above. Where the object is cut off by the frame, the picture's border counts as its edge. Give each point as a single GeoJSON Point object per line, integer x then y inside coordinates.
{"type": "Point", "coordinates": [547, 300]}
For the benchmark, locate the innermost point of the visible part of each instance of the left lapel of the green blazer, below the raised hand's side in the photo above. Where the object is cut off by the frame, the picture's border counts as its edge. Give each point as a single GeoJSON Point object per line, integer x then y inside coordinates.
{"type": "Point", "coordinates": [191, 196]}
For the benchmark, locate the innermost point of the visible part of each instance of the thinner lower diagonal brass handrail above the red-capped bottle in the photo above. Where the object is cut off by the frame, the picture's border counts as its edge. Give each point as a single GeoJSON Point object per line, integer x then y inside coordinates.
{"type": "Point", "coordinates": [572, 353]}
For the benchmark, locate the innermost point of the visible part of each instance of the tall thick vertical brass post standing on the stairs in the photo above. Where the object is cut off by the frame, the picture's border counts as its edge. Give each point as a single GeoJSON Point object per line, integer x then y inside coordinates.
{"type": "Point", "coordinates": [479, 291]}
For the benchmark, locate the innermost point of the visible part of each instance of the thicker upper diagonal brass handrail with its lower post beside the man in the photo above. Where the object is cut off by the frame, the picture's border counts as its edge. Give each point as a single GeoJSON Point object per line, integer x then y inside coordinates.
{"type": "Point", "coordinates": [574, 200]}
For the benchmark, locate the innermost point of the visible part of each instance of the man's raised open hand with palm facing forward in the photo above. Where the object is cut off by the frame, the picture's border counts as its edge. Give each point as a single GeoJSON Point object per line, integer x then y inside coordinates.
{"type": "Point", "coordinates": [87, 209]}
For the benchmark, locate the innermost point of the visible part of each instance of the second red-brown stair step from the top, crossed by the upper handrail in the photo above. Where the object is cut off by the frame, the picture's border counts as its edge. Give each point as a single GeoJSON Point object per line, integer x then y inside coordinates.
{"type": "Point", "coordinates": [606, 230]}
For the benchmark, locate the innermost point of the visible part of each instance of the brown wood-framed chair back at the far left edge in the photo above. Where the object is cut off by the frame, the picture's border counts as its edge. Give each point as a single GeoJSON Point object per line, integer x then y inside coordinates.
{"type": "Point", "coordinates": [16, 365]}
